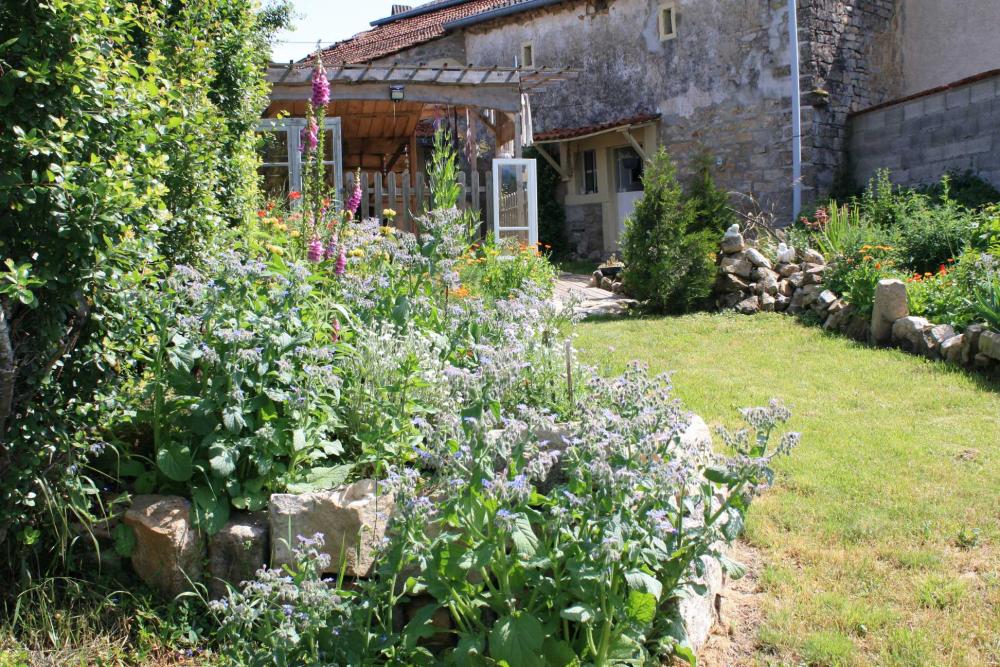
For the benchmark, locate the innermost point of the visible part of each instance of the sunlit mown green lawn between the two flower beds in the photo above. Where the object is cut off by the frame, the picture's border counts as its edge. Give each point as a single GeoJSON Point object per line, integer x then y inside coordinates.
{"type": "Point", "coordinates": [866, 535]}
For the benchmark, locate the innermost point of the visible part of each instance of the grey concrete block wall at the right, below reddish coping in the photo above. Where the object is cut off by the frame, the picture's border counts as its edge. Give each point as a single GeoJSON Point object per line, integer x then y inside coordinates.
{"type": "Point", "coordinates": [920, 139]}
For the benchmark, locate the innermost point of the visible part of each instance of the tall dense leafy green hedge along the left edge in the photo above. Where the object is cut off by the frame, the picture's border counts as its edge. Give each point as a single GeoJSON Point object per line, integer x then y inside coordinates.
{"type": "Point", "coordinates": [125, 144]}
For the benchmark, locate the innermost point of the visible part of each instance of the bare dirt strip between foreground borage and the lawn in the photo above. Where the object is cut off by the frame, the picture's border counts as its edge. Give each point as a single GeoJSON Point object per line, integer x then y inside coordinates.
{"type": "Point", "coordinates": [734, 637]}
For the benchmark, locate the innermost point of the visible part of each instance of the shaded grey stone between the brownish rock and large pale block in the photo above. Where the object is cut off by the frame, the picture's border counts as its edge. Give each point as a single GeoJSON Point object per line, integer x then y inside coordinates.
{"type": "Point", "coordinates": [237, 551]}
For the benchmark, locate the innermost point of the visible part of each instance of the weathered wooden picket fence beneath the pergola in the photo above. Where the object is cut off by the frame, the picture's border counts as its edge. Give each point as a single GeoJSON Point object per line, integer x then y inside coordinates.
{"type": "Point", "coordinates": [411, 199]}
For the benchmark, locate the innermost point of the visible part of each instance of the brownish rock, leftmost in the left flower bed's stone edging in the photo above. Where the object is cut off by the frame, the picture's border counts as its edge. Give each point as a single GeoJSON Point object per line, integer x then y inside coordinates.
{"type": "Point", "coordinates": [168, 550]}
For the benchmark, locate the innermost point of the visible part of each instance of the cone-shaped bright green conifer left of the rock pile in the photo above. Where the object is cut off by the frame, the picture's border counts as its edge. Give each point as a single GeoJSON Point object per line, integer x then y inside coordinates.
{"type": "Point", "coordinates": [669, 260]}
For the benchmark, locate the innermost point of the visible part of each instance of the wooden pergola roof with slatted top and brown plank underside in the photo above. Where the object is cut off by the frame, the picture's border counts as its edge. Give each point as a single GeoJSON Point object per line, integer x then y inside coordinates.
{"type": "Point", "coordinates": [381, 106]}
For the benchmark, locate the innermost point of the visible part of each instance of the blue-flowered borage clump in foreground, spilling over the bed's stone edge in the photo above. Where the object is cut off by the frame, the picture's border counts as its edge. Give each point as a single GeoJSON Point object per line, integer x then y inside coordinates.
{"type": "Point", "coordinates": [539, 552]}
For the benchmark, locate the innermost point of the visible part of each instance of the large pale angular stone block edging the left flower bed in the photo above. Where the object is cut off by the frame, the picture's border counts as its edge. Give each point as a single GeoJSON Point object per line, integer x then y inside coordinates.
{"type": "Point", "coordinates": [351, 518]}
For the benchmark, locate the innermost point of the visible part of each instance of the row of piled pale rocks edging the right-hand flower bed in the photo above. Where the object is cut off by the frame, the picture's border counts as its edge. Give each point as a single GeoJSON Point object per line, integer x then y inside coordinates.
{"type": "Point", "coordinates": [749, 282]}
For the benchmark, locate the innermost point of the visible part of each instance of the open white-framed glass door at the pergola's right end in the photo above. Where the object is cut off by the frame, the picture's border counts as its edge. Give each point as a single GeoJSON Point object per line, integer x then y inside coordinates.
{"type": "Point", "coordinates": [515, 200]}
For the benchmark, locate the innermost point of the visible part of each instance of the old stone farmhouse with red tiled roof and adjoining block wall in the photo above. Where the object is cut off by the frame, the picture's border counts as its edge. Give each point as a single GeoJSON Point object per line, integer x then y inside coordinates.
{"type": "Point", "coordinates": [910, 85]}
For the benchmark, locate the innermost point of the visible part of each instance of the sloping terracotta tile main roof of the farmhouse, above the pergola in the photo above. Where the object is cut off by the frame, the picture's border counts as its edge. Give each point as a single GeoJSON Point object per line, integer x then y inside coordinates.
{"type": "Point", "coordinates": [384, 40]}
